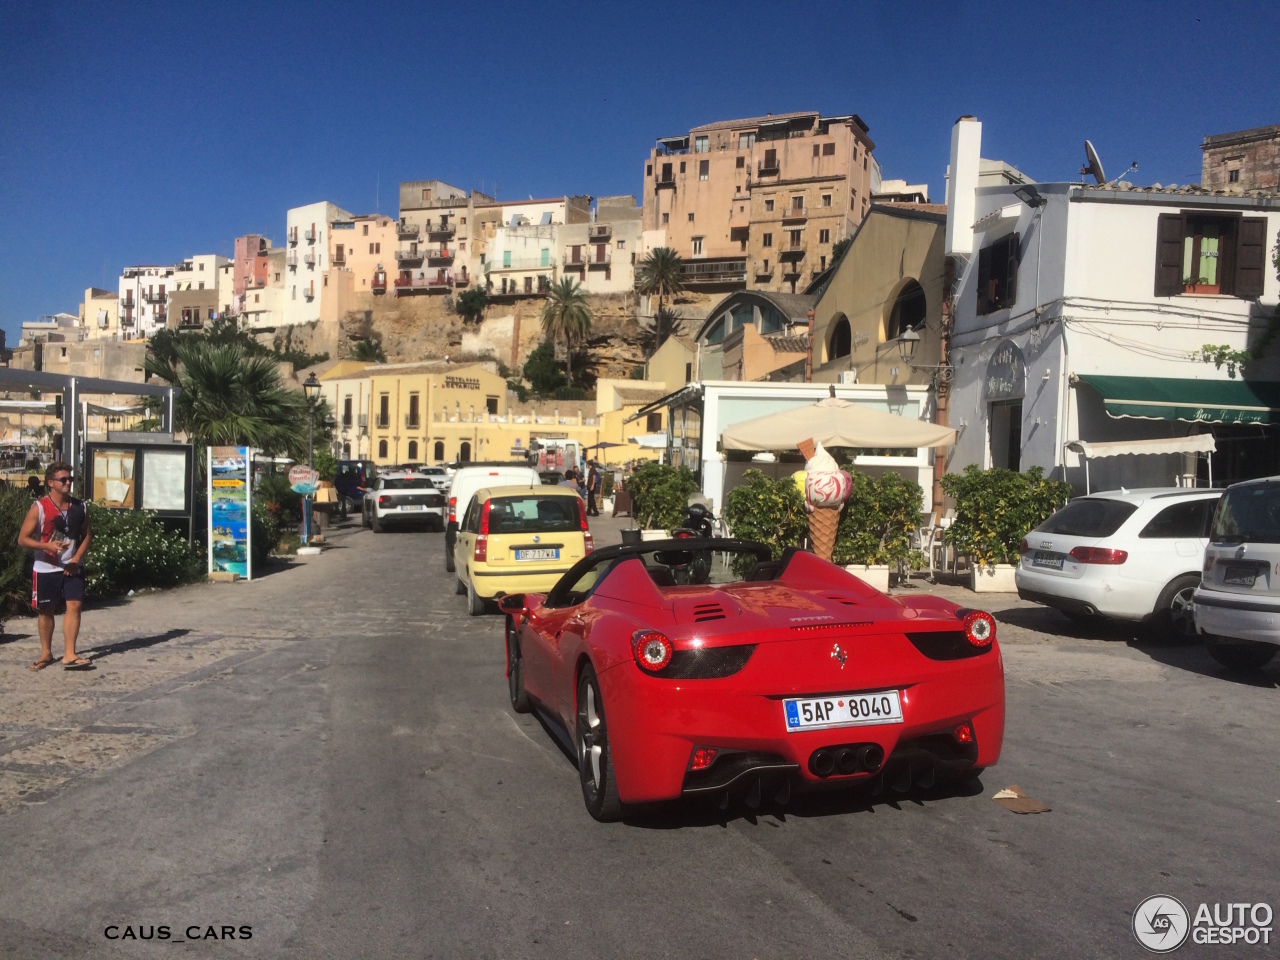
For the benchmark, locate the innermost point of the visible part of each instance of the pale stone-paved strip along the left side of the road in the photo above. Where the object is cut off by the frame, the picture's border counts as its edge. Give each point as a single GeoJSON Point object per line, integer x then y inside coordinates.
{"type": "Point", "coordinates": [57, 726]}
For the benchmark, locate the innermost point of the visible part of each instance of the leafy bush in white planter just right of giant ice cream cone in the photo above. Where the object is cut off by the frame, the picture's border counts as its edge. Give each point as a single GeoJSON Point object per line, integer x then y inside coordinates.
{"type": "Point", "coordinates": [876, 527]}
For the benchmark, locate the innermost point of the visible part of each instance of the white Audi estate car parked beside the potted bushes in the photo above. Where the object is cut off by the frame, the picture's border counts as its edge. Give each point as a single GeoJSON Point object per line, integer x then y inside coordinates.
{"type": "Point", "coordinates": [1130, 555]}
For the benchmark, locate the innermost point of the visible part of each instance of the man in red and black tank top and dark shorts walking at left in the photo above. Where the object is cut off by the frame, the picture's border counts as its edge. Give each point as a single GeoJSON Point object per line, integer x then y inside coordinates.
{"type": "Point", "coordinates": [57, 531]}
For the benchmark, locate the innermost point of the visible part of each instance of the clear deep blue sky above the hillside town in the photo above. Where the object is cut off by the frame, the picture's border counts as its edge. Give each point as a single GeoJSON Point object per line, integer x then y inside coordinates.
{"type": "Point", "coordinates": [148, 132]}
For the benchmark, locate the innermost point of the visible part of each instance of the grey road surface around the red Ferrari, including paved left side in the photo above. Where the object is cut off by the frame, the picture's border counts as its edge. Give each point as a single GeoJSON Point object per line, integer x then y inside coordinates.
{"type": "Point", "coordinates": [328, 757]}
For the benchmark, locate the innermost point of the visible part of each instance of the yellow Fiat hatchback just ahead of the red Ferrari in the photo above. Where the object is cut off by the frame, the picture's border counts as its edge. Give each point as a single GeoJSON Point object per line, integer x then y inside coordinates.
{"type": "Point", "coordinates": [516, 541]}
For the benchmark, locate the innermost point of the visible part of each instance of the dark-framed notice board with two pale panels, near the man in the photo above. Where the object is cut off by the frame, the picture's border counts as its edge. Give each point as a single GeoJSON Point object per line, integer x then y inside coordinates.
{"type": "Point", "coordinates": [140, 476]}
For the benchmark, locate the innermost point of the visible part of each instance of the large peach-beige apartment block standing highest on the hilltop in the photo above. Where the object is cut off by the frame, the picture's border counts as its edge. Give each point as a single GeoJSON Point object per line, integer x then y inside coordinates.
{"type": "Point", "coordinates": [760, 203]}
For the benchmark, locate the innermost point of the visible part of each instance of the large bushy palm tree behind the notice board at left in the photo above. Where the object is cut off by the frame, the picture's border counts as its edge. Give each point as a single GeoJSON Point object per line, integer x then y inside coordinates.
{"type": "Point", "coordinates": [234, 400]}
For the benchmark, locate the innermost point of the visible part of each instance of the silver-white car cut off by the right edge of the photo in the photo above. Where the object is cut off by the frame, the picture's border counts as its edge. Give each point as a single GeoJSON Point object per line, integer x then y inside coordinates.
{"type": "Point", "coordinates": [1238, 602]}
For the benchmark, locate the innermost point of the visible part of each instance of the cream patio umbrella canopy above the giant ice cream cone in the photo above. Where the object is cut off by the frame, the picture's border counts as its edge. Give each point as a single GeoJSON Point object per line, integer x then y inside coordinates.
{"type": "Point", "coordinates": [835, 423]}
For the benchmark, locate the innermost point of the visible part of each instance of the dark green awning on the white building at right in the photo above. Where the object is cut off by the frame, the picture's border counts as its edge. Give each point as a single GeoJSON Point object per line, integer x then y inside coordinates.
{"type": "Point", "coordinates": [1192, 401]}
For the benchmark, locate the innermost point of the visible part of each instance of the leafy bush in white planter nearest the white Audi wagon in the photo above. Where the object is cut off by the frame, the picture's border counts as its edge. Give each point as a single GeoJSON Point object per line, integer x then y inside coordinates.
{"type": "Point", "coordinates": [995, 510]}
